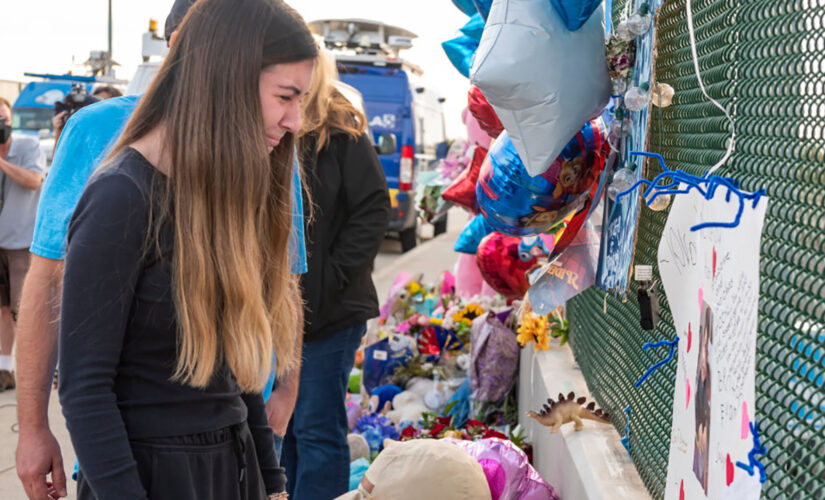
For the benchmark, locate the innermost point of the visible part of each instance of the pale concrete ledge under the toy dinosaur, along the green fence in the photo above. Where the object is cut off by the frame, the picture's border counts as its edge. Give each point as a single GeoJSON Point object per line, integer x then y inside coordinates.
{"type": "Point", "coordinates": [590, 464]}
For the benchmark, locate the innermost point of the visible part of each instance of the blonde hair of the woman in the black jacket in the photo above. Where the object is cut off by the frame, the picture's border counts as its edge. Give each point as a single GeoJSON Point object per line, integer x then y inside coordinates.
{"type": "Point", "coordinates": [326, 109]}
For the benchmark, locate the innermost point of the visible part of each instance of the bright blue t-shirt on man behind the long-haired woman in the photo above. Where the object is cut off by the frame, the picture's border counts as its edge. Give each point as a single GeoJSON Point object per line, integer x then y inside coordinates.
{"type": "Point", "coordinates": [84, 143]}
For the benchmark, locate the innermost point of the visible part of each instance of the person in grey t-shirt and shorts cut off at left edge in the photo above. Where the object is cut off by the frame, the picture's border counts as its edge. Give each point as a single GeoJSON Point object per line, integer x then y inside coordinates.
{"type": "Point", "coordinates": [21, 174]}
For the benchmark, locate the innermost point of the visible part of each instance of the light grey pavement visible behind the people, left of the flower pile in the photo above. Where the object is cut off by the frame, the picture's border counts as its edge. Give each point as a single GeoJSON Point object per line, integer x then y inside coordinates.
{"type": "Point", "coordinates": [430, 257]}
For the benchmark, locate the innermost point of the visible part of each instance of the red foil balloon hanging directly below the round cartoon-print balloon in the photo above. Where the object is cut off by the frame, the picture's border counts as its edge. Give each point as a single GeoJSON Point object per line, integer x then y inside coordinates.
{"type": "Point", "coordinates": [500, 266]}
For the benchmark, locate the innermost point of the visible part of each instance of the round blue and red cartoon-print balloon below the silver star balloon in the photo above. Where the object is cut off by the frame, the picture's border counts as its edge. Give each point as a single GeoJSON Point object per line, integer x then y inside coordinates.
{"type": "Point", "coordinates": [517, 204]}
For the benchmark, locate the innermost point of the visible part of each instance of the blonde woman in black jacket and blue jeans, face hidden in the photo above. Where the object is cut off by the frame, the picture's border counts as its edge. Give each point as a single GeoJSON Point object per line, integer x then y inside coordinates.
{"type": "Point", "coordinates": [351, 212]}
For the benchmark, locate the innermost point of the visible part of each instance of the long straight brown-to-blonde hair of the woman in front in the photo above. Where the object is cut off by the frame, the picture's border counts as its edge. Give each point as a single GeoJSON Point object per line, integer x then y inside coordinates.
{"type": "Point", "coordinates": [228, 202]}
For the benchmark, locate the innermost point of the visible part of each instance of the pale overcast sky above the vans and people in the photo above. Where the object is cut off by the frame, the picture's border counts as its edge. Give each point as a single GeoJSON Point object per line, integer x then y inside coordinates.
{"type": "Point", "coordinates": [44, 36]}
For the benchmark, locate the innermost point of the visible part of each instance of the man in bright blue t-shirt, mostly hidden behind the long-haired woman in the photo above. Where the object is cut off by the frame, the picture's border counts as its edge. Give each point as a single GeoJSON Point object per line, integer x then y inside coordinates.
{"type": "Point", "coordinates": [84, 143]}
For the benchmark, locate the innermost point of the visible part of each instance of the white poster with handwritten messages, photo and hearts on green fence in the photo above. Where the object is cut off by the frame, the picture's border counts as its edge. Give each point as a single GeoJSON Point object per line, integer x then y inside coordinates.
{"type": "Point", "coordinates": [711, 279]}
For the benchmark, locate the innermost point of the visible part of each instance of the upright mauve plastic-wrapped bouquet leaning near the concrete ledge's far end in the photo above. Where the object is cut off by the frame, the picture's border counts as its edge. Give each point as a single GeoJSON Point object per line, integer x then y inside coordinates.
{"type": "Point", "coordinates": [494, 354]}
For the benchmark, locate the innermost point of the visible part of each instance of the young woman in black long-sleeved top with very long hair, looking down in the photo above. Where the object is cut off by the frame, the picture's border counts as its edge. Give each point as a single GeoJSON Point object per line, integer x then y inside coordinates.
{"type": "Point", "coordinates": [177, 287]}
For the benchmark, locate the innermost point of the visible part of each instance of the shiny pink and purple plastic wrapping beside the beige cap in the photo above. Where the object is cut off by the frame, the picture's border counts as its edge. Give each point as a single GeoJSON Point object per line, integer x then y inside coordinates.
{"type": "Point", "coordinates": [509, 473]}
